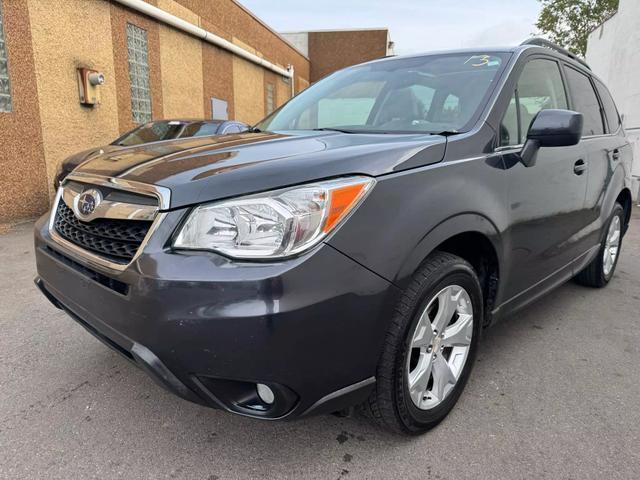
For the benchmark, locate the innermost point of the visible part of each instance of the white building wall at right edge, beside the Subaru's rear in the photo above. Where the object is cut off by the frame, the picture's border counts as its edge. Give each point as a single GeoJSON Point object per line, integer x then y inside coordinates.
{"type": "Point", "coordinates": [613, 52]}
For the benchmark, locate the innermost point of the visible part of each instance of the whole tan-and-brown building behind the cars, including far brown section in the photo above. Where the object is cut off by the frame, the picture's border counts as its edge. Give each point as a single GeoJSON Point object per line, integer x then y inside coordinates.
{"type": "Point", "coordinates": [159, 58]}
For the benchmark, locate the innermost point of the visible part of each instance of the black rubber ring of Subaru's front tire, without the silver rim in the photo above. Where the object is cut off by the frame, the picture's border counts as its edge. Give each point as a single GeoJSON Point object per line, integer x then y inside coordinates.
{"type": "Point", "coordinates": [414, 419]}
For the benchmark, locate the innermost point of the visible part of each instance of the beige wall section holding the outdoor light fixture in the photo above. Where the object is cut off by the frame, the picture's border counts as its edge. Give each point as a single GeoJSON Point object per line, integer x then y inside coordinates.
{"type": "Point", "coordinates": [76, 34]}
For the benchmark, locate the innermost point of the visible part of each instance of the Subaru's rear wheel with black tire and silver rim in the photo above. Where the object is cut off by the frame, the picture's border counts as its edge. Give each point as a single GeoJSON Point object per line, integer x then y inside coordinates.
{"type": "Point", "coordinates": [598, 273]}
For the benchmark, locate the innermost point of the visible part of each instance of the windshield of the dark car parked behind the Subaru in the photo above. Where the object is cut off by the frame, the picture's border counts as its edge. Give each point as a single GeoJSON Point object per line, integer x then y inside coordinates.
{"type": "Point", "coordinates": [166, 130]}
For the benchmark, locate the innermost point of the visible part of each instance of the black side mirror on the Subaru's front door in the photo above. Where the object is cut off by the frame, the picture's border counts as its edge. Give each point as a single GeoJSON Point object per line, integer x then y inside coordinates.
{"type": "Point", "coordinates": [551, 128]}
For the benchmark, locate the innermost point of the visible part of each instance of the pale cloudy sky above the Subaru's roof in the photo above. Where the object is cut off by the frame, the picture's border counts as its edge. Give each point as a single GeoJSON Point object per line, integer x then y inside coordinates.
{"type": "Point", "coordinates": [415, 25]}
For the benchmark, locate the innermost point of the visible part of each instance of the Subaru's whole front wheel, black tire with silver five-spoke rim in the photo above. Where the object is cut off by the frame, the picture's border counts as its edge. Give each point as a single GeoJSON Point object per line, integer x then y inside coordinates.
{"type": "Point", "coordinates": [392, 404]}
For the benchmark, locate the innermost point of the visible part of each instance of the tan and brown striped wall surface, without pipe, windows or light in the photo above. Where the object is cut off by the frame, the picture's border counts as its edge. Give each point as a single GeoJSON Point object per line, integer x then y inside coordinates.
{"type": "Point", "coordinates": [48, 40]}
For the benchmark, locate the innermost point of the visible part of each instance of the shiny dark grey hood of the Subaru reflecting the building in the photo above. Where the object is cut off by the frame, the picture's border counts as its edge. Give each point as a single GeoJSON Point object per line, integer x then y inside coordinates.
{"type": "Point", "coordinates": [204, 169]}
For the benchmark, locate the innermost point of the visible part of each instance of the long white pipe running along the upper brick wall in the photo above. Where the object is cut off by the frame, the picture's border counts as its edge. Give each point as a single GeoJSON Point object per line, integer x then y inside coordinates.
{"type": "Point", "coordinates": [187, 27]}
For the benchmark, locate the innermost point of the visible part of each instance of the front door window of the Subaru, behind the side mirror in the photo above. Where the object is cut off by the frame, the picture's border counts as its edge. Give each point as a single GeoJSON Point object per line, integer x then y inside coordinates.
{"type": "Point", "coordinates": [540, 87]}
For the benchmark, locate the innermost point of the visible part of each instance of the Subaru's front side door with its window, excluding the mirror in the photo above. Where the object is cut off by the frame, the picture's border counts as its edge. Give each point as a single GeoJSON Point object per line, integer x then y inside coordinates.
{"type": "Point", "coordinates": [546, 201]}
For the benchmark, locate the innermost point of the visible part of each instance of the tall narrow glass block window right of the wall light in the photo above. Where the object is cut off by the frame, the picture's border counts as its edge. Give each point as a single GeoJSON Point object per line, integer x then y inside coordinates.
{"type": "Point", "coordinates": [138, 50]}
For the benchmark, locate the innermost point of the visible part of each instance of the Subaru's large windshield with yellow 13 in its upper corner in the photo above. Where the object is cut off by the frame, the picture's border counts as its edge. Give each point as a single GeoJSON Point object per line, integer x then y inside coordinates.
{"type": "Point", "coordinates": [430, 94]}
